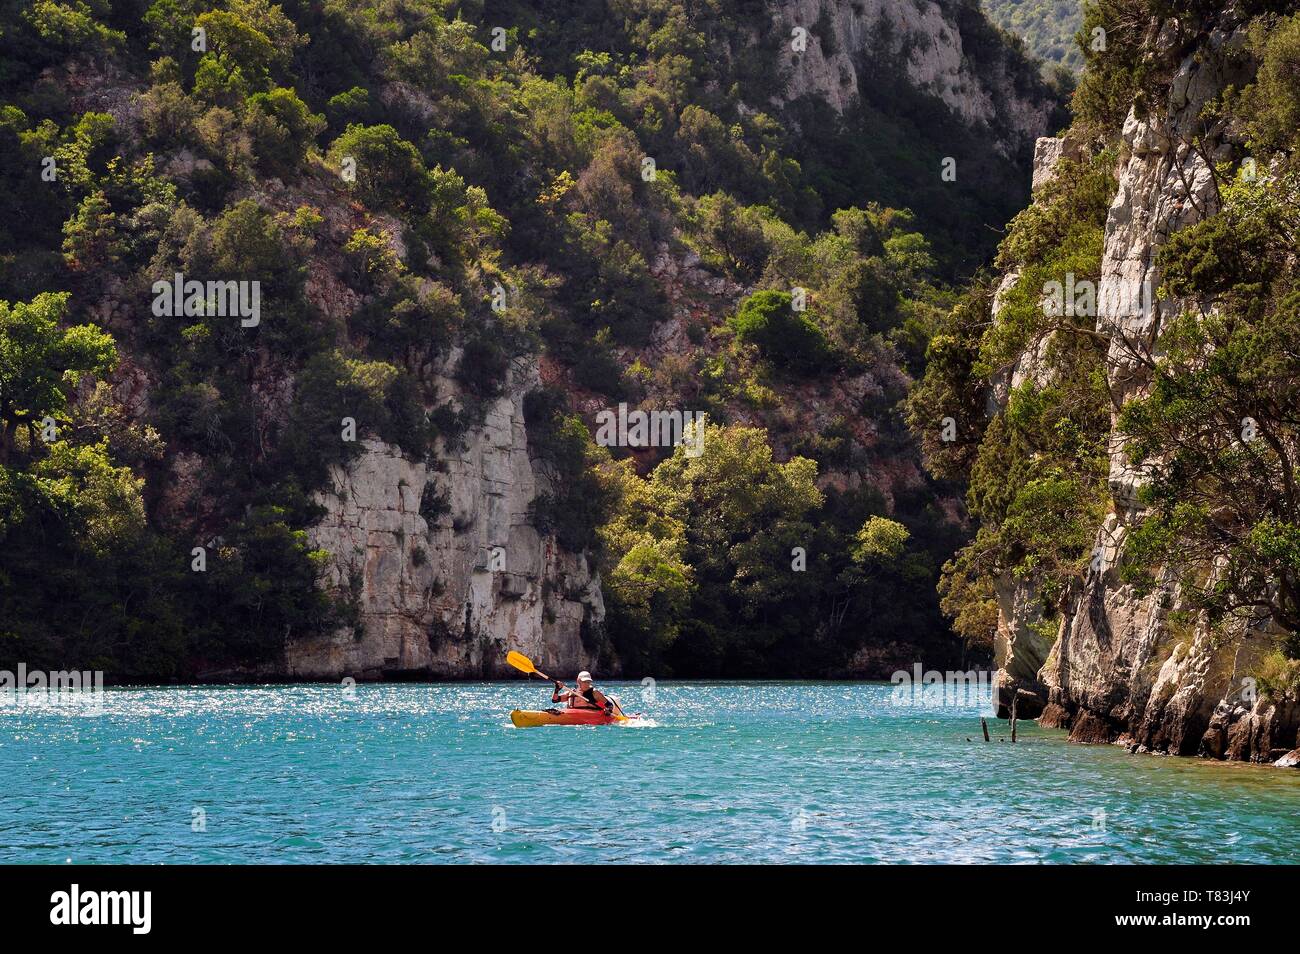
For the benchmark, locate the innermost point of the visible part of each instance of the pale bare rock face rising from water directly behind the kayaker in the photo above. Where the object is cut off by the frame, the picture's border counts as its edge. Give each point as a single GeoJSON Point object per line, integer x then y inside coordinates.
{"type": "Point", "coordinates": [444, 563]}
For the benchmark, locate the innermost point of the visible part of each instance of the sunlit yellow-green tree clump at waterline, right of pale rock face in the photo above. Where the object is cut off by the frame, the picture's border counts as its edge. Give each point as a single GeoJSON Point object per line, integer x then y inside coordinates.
{"type": "Point", "coordinates": [703, 554]}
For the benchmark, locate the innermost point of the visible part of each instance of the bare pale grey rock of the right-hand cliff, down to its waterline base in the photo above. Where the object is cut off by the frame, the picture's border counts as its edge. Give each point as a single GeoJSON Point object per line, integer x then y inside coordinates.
{"type": "Point", "coordinates": [1123, 669]}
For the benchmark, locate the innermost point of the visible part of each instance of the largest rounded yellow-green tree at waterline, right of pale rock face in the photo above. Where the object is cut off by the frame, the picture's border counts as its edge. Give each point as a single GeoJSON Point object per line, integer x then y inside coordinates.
{"type": "Point", "coordinates": [721, 527]}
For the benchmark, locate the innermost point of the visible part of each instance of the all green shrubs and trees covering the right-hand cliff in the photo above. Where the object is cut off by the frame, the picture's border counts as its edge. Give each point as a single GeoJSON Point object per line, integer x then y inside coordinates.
{"type": "Point", "coordinates": [1214, 437]}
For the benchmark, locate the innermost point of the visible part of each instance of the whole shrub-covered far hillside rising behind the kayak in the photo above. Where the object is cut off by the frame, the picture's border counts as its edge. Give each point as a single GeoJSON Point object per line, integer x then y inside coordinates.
{"type": "Point", "coordinates": [436, 201]}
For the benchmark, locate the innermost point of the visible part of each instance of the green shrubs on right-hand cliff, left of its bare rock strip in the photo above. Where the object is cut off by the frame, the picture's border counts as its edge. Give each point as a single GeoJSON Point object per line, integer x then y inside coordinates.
{"type": "Point", "coordinates": [1037, 471]}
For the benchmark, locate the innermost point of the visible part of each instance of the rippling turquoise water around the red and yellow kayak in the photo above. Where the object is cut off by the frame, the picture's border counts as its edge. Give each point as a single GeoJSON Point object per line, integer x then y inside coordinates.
{"type": "Point", "coordinates": [721, 773]}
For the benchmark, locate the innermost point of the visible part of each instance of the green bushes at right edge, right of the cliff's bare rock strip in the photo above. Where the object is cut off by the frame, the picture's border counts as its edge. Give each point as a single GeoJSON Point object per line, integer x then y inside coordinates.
{"type": "Point", "coordinates": [1217, 436]}
